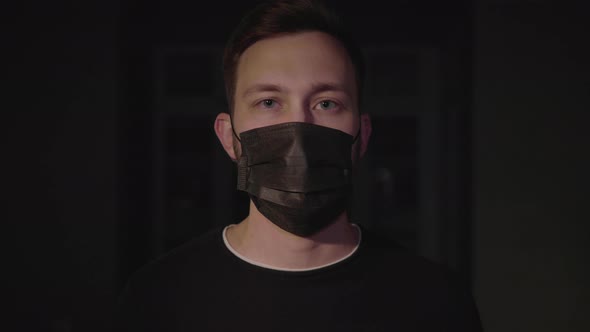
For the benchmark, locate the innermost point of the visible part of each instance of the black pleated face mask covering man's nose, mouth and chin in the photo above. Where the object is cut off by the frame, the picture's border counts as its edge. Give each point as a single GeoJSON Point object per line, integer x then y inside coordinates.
{"type": "Point", "coordinates": [297, 174]}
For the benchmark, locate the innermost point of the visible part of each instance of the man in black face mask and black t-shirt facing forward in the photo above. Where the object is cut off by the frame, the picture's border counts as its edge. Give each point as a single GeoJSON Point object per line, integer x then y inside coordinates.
{"type": "Point", "coordinates": [296, 263]}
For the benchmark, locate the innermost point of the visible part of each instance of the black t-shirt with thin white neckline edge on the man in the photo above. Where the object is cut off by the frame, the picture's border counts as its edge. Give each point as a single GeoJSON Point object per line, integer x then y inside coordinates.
{"type": "Point", "coordinates": [203, 286]}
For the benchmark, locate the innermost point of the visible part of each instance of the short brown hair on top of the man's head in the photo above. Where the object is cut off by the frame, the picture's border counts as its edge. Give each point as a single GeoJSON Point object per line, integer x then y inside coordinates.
{"type": "Point", "coordinates": [274, 18]}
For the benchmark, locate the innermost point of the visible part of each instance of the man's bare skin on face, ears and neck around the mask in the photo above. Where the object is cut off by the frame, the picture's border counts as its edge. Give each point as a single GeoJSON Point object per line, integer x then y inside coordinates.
{"type": "Point", "coordinates": [301, 77]}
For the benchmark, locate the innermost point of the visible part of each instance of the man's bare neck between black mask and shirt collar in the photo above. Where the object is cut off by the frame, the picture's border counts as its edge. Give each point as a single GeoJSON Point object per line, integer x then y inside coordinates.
{"type": "Point", "coordinates": [258, 239]}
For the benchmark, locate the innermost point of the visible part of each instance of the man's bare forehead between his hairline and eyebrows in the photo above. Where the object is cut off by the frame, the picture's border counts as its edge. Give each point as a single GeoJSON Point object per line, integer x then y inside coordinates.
{"type": "Point", "coordinates": [295, 60]}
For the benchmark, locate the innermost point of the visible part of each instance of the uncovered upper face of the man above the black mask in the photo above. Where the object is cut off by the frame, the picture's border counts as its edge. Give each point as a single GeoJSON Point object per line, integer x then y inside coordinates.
{"type": "Point", "coordinates": [301, 77]}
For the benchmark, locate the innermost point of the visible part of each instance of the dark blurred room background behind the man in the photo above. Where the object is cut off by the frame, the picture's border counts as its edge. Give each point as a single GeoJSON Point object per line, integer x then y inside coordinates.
{"type": "Point", "coordinates": [479, 158]}
